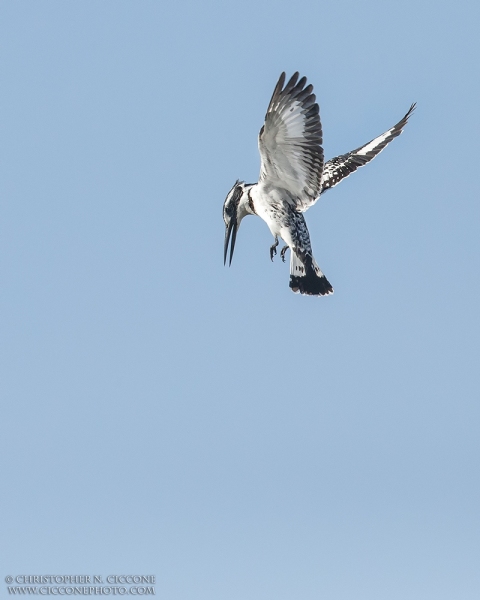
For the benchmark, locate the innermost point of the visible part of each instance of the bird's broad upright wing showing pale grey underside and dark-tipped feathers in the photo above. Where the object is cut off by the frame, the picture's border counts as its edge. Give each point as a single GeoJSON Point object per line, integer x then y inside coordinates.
{"type": "Point", "coordinates": [290, 141]}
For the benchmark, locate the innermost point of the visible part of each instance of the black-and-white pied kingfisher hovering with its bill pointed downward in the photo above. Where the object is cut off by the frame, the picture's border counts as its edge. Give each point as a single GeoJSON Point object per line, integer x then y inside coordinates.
{"type": "Point", "coordinates": [292, 177]}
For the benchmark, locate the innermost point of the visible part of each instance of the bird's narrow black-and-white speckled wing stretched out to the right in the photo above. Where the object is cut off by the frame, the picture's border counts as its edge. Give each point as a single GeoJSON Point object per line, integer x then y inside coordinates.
{"type": "Point", "coordinates": [342, 166]}
